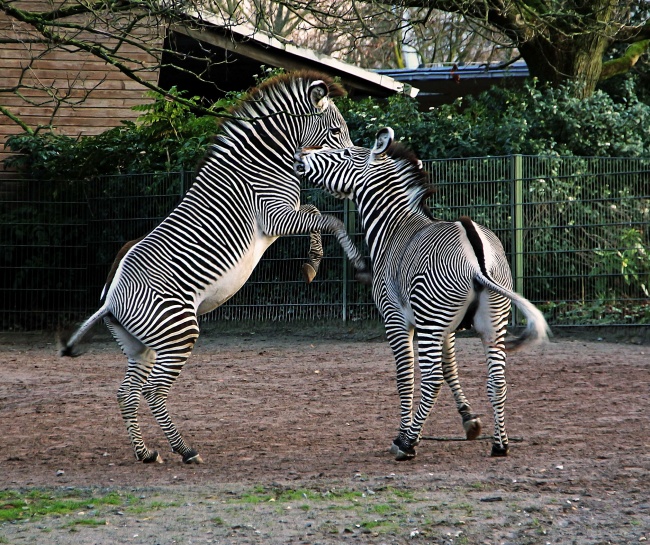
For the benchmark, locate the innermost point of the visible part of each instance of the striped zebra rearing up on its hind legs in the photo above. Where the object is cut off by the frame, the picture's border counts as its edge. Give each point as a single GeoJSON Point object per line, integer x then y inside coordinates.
{"type": "Point", "coordinates": [245, 196]}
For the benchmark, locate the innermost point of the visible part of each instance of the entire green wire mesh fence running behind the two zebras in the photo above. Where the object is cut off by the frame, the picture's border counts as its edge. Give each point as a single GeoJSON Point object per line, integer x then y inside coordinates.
{"type": "Point", "coordinates": [577, 231]}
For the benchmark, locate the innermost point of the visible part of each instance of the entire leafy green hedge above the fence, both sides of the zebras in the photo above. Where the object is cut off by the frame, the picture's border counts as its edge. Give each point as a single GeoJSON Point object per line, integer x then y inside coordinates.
{"type": "Point", "coordinates": [169, 137]}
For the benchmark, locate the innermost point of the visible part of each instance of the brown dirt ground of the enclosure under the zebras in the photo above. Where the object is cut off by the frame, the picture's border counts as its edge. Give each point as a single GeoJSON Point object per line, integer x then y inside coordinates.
{"type": "Point", "coordinates": [277, 408]}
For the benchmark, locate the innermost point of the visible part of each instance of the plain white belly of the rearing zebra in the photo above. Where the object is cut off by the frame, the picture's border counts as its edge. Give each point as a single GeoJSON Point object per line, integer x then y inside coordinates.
{"type": "Point", "coordinates": [228, 284]}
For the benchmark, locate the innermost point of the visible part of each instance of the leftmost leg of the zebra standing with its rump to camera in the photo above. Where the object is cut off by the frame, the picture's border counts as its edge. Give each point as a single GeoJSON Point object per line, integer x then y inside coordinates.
{"type": "Point", "coordinates": [400, 338]}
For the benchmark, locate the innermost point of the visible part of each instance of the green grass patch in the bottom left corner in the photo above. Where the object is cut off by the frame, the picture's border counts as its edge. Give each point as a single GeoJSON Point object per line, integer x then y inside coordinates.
{"type": "Point", "coordinates": [16, 505]}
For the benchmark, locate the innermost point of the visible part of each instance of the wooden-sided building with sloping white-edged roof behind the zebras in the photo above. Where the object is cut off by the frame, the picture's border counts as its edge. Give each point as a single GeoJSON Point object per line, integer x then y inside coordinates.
{"type": "Point", "coordinates": [93, 96]}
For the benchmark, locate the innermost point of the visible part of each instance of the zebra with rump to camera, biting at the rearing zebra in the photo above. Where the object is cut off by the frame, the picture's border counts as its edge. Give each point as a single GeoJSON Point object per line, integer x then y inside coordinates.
{"type": "Point", "coordinates": [429, 276]}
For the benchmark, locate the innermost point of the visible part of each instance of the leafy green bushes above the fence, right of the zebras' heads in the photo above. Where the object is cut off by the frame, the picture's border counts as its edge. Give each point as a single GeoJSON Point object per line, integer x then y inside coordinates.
{"type": "Point", "coordinates": [503, 122]}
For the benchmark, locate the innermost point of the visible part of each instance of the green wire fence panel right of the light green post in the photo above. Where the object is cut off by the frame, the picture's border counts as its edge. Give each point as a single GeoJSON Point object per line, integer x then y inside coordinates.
{"type": "Point", "coordinates": [586, 236]}
